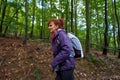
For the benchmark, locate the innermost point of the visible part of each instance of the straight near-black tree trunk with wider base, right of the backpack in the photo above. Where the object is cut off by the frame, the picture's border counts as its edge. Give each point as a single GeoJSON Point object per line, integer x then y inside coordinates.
{"type": "Point", "coordinates": [105, 49]}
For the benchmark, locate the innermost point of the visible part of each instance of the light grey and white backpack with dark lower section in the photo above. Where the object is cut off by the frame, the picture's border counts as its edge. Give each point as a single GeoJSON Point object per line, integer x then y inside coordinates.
{"type": "Point", "coordinates": [76, 45]}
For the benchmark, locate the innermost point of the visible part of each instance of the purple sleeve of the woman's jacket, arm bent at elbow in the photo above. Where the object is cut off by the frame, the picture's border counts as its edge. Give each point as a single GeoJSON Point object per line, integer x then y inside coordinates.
{"type": "Point", "coordinates": [64, 52]}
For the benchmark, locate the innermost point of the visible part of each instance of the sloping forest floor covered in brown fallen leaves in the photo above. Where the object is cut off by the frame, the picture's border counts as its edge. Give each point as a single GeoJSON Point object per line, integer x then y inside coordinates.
{"type": "Point", "coordinates": [32, 62]}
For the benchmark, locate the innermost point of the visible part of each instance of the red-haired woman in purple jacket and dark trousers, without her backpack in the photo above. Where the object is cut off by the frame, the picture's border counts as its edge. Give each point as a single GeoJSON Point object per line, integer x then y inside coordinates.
{"type": "Point", "coordinates": [62, 63]}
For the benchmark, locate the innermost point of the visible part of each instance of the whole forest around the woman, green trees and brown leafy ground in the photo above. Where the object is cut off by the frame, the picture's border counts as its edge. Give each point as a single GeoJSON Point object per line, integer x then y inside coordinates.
{"type": "Point", "coordinates": [25, 41]}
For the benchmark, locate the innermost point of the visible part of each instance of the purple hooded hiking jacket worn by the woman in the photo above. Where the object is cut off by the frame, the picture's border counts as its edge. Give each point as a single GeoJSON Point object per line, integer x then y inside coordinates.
{"type": "Point", "coordinates": [61, 52]}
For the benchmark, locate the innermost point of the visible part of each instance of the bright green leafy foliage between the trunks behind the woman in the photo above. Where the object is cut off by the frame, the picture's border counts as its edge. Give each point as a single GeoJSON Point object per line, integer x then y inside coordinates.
{"type": "Point", "coordinates": [15, 18]}
